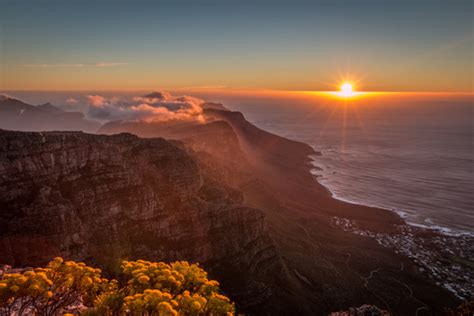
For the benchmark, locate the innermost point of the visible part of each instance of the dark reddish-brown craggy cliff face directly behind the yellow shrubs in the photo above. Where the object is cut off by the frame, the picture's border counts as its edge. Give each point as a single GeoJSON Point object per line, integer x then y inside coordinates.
{"type": "Point", "coordinates": [105, 198]}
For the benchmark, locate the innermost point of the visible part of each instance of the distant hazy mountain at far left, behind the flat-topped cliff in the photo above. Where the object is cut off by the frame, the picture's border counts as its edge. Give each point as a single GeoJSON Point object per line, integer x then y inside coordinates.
{"type": "Point", "coordinates": [17, 115]}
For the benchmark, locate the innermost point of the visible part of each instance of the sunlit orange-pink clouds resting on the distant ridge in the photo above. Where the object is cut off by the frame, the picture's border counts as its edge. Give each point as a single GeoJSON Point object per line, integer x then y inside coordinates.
{"type": "Point", "coordinates": [154, 107]}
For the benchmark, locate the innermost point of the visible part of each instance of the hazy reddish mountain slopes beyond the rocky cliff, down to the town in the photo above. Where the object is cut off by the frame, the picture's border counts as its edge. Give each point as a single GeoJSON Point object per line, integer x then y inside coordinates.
{"type": "Point", "coordinates": [326, 268]}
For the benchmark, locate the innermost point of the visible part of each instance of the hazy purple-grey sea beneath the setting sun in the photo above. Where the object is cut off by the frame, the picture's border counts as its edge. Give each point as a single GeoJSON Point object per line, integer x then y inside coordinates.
{"type": "Point", "coordinates": [411, 153]}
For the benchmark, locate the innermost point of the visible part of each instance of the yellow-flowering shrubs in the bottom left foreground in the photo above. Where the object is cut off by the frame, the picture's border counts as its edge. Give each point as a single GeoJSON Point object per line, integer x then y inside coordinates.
{"type": "Point", "coordinates": [145, 288]}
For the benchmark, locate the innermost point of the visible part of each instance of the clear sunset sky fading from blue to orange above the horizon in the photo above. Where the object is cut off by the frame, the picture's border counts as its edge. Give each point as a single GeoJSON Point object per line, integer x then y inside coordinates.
{"type": "Point", "coordinates": [262, 45]}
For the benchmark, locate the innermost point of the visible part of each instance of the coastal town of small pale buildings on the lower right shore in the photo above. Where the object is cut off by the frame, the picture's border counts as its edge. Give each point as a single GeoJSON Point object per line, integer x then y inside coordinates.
{"type": "Point", "coordinates": [447, 260]}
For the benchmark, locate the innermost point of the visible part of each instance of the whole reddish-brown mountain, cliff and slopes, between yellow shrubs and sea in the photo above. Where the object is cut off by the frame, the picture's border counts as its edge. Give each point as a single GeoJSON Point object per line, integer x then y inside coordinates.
{"type": "Point", "coordinates": [237, 199]}
